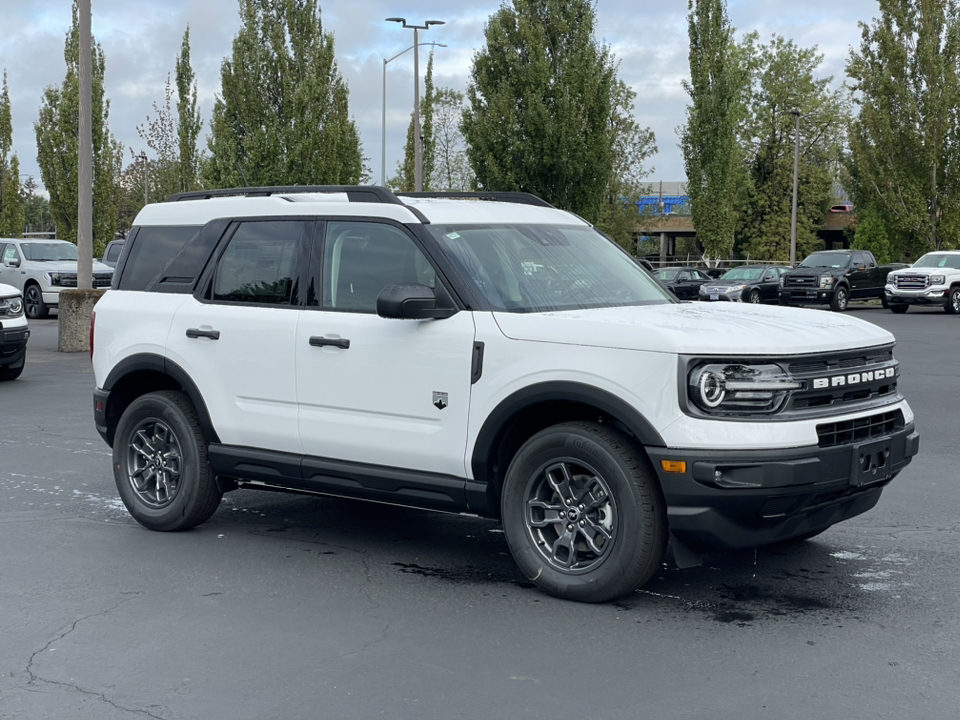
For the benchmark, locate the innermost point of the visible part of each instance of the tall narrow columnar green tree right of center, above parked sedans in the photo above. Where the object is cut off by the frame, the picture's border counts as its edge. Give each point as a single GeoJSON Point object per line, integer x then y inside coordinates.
{"type": "Point", "coordinates": [711, 152]}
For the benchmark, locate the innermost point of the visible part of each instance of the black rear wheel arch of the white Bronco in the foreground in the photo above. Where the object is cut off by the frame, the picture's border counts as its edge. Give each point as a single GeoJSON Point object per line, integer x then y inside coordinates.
{"type": "Point", "coordinates": [144, 373]}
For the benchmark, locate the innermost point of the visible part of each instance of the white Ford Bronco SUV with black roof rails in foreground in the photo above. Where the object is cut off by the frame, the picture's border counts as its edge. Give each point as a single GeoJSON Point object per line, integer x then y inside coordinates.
{"type": "Point", "coordinates": [489, 355]}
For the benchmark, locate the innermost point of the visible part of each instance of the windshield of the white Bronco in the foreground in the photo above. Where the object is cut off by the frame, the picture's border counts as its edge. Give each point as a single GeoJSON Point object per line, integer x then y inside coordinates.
{"type": "Point", "coordinates": [539, 268]}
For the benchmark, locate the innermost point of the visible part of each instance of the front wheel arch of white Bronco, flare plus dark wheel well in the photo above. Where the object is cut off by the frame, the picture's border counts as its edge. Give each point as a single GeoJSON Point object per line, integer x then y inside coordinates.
{"type": "Point", "coordinates": [528, 411]}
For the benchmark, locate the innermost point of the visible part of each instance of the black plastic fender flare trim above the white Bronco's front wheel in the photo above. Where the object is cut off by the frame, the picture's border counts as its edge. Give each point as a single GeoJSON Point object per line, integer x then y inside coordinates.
{"type": "Point", "coordinates": [549, 391]}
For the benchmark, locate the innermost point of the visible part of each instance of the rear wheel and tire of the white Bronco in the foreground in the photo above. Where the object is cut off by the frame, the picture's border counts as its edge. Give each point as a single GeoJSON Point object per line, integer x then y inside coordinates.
{"type": "Point", "coordinates": [160, 463]}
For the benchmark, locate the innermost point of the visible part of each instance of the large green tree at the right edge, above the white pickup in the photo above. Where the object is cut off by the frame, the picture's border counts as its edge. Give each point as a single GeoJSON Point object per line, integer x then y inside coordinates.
{"type": "Point", "coordinates": [905, 140]}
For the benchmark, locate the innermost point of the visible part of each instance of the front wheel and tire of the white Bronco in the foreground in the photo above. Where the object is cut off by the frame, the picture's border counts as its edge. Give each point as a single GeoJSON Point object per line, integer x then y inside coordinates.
{"type": "Point", "coordinates": [591, 551]}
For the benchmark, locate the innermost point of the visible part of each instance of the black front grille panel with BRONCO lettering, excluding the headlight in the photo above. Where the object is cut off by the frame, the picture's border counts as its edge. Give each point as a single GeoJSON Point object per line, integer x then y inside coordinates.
{"type": "Point", "coordinates": [831, 384]}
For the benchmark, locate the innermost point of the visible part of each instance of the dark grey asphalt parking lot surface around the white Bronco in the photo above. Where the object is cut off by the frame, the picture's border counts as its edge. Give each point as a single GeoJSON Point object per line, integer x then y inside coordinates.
{"type": "Point", "coordinates": [289, 607]}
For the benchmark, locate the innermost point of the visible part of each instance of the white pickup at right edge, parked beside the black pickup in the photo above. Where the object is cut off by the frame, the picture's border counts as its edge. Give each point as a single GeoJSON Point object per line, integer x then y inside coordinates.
{"type": "Point", "coordinates": [934, 279]}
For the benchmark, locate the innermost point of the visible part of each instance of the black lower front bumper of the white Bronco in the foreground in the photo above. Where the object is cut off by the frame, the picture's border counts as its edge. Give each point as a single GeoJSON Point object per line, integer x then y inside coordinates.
{"type": "Point", "coordinates": [730, 499]}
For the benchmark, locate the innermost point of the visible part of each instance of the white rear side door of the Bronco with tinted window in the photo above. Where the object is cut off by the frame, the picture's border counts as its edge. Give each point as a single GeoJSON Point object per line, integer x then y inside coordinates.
{"type": "Point", "coordinates": [235, 336]}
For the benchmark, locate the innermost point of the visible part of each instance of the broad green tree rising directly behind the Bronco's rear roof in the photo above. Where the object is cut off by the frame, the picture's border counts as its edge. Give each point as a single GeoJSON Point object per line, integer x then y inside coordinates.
{"type": "Point", "coordinates": [282, 117]}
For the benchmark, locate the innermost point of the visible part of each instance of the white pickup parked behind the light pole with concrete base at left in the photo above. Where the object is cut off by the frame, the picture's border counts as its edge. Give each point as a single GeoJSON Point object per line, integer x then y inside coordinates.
{"type": "Point", "coordinates": [40, 269]}
